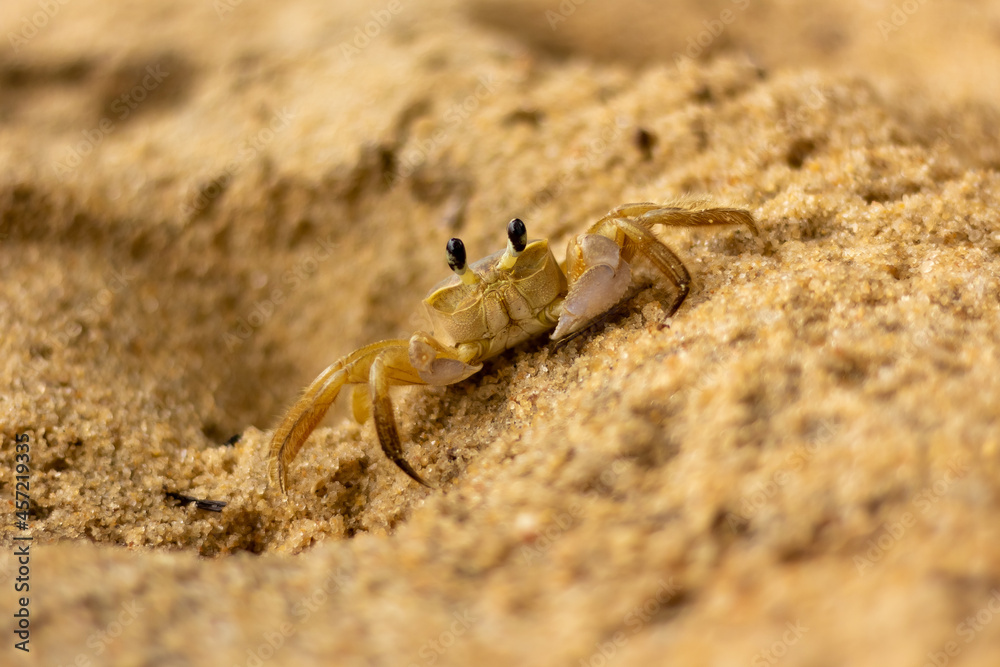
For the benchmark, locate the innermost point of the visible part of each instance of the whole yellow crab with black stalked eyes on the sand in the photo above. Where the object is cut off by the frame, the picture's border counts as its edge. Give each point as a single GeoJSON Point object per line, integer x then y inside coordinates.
{"type": "Point", "coordinates": [492, 305]}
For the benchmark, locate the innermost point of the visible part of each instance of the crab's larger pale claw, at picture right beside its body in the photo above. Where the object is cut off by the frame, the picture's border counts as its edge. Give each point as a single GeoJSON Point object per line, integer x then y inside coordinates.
{"type": "Point", "coordinates": [599, 279]}
